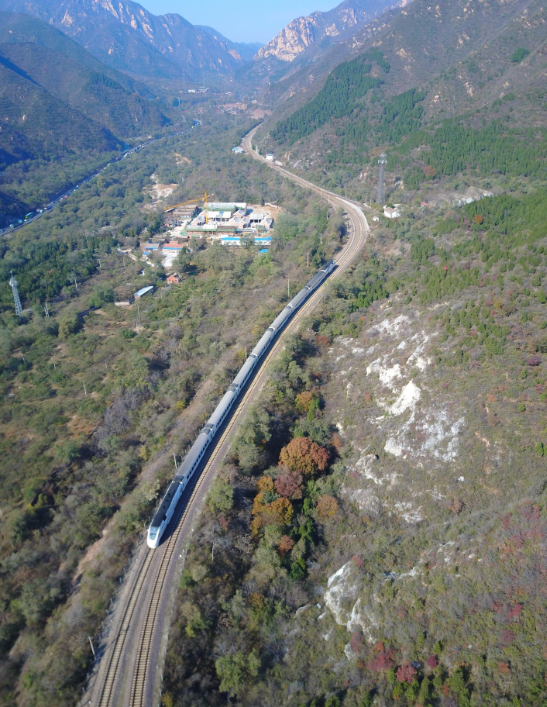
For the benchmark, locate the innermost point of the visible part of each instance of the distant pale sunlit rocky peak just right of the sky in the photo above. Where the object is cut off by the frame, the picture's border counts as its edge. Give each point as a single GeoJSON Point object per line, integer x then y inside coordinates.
{"type": "Point", "coordinates": [324, 27]}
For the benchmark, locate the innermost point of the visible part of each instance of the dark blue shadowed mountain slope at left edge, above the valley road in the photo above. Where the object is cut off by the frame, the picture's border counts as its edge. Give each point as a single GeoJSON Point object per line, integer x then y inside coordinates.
{"type": "Point", "coordinates": [62, 112]}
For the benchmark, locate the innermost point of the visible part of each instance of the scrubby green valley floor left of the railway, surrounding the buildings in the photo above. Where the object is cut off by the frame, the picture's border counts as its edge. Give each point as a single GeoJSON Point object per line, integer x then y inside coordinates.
{"type": "Point", "coordinates": [95, 403]}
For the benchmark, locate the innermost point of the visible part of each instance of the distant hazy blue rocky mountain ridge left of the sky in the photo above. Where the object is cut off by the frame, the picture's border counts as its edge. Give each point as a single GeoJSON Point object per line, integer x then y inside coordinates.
{"type": "Point", "coordinates": [131, 39]}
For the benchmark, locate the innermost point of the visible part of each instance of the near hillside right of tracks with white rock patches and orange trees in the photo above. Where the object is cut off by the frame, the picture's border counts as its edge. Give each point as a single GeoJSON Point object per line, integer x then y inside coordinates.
{"type": "Point", "coordinates": [379, 530]}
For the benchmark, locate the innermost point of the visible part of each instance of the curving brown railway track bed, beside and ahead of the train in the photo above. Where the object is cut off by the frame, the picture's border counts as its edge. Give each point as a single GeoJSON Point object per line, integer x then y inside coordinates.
{"type": "Point", "coordinates": [130, 669]}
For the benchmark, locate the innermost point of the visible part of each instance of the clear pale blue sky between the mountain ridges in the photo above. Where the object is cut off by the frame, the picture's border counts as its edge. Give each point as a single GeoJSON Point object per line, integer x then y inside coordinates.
{"type": "Point", "coordinates": [241, 20]}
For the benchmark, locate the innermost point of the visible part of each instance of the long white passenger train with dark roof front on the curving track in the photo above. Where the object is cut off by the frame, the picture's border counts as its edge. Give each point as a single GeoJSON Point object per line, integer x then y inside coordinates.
{"type": "Point", "coordinates": [194, 457]}
